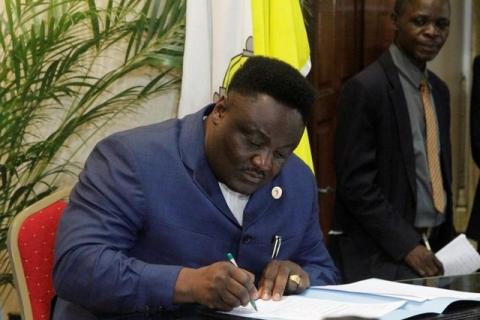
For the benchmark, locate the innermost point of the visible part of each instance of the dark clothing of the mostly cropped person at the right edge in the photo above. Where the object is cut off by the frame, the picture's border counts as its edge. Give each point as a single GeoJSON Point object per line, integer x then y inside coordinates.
{"type": "Point", "coordinates": [473, 230]}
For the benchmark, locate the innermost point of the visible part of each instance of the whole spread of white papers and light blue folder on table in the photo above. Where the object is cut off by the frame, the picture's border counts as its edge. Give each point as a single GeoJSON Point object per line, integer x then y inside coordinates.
{"type": "Point", "coordinates": [371, 298]}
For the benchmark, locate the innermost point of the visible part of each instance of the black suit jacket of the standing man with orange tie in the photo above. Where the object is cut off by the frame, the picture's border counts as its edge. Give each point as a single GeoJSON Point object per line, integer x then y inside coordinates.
{"type": "Point", "coordinates": [375, 164]}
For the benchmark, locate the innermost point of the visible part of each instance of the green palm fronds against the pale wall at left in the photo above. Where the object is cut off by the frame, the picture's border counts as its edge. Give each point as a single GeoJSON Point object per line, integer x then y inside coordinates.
{"type": "Point", "coordinates": [52, 91]}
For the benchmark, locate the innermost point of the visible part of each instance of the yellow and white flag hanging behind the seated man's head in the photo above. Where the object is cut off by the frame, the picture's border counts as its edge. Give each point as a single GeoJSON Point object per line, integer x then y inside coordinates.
{"type": "Point", "coordinates": [219, 38]}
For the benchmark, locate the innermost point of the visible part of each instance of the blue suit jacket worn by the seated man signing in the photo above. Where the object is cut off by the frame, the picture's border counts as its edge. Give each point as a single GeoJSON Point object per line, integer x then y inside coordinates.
{"type": "Point", "coordinates": [147, 203]}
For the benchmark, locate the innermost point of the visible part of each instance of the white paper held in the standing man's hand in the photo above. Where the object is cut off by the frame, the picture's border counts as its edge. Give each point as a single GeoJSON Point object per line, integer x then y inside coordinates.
{"type": "Point", "coordinates": [459, 257]}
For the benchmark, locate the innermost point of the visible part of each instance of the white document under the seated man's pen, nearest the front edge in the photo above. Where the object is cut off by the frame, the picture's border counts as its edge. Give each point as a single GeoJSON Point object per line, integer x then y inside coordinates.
{"type": "Point", "coordinates": [302, 308]}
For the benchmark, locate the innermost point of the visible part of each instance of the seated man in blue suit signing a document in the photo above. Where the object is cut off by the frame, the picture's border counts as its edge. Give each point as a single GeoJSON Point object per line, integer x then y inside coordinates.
{"type": "Point", "coordinates": [157, 208]}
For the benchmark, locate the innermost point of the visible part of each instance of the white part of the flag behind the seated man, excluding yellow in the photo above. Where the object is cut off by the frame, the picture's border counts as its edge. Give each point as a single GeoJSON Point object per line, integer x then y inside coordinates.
{"type": "Point", "coordinates": [216, 31]}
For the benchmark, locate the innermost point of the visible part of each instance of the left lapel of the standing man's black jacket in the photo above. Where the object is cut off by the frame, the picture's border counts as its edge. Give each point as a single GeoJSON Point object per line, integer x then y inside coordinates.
{"type": "Point", "coordinates": [402, 118]}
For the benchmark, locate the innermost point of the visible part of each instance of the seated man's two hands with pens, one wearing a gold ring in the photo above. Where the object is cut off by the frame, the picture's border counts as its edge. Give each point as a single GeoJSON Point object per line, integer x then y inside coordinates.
{"type": "Point", "coordinates": [224, 285]}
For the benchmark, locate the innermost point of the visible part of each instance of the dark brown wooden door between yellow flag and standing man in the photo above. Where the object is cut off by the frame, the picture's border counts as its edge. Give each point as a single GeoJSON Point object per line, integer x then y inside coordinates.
{"type": "Point", "coordinates": [345, 36]}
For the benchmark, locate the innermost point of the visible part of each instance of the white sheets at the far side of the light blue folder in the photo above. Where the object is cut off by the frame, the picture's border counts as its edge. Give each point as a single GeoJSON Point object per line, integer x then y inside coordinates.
{"type": "Point", "coordinates": [401, 290]}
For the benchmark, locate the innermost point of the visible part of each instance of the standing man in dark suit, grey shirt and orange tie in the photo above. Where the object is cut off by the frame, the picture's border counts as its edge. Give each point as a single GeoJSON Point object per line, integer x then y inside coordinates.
{"type": "Point", "coordinates": [390, 208]}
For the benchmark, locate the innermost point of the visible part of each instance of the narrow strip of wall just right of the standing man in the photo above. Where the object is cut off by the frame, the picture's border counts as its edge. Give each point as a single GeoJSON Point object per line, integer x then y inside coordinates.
{"type": "Point", "coordinates": [453, 66]}
